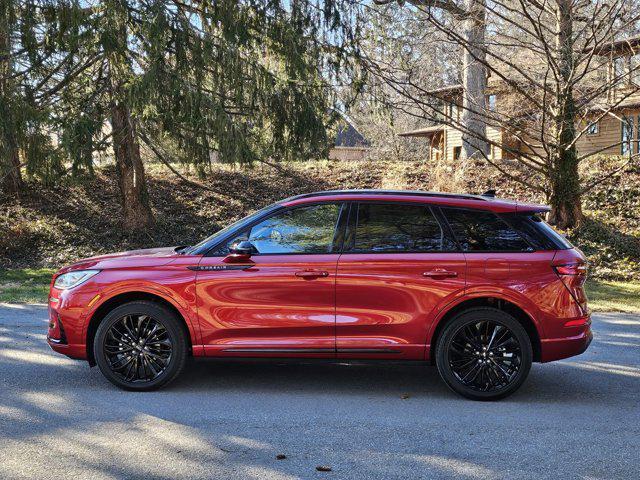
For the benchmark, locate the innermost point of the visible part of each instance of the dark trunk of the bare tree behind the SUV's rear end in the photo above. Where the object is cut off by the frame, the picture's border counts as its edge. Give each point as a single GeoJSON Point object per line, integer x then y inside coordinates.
{"type": "Point", "coordinates": [566, 207]}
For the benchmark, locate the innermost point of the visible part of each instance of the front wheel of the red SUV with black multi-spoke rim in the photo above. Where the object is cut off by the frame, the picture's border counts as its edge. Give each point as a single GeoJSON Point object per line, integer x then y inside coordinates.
{"type": "Point", "coordinates": [144, 335]}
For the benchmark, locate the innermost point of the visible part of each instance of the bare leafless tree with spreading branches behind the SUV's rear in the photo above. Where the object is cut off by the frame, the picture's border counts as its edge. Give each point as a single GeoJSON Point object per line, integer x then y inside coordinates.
{"type": "Point", "coordinates": [553, 63]}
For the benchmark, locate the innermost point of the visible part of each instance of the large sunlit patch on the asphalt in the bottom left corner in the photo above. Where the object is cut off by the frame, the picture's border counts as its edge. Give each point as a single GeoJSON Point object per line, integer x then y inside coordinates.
{"type": "Point", "coordinates": [140, 437]}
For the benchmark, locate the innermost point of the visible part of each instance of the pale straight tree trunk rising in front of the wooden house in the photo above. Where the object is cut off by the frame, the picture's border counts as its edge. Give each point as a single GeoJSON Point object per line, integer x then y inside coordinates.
{"type": "Point", "coordinates": [474, 79]}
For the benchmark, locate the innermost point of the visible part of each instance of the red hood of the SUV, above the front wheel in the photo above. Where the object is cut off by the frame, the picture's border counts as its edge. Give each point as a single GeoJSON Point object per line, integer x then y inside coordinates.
{"type": "Point", "coordinates": [149, 257]}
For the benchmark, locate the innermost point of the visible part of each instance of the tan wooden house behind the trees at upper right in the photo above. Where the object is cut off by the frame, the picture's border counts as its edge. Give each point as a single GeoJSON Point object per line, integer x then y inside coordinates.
{"type": "Point", "coordinates": [611, 124]}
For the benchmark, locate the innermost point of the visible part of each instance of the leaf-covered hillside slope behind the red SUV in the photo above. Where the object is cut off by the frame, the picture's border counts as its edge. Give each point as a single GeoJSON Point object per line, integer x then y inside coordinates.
{"type": "Point", "coordinates": [49, 227]}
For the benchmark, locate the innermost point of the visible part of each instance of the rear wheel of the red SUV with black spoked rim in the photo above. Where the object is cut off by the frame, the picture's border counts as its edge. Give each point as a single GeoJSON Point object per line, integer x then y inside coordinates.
{"type": "Point", "coordinates": [472, 370]}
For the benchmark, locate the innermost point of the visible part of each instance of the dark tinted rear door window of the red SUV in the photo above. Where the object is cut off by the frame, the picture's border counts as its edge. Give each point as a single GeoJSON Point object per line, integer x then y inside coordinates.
{"type": "Point", "coordinates": [398, 228]}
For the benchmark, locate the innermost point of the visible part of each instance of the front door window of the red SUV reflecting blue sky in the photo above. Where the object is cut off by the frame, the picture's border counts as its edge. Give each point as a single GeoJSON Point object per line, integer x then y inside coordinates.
{"type": "Point", "coordinates": [298, 230]}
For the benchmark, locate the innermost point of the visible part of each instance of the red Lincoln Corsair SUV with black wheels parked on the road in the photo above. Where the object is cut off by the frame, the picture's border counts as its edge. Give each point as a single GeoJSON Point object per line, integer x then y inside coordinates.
{"type": "Point", "coordinates": [479, 287]}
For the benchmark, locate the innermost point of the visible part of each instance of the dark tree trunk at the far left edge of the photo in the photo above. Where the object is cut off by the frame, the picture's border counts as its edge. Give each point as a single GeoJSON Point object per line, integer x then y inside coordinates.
{"type": "Point", "coordinates": [10, 175]}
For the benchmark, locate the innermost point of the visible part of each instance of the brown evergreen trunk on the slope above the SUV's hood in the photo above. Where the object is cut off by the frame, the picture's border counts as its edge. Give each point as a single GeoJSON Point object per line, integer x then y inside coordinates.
{"type": "Point", "coordinates": [131, 177]}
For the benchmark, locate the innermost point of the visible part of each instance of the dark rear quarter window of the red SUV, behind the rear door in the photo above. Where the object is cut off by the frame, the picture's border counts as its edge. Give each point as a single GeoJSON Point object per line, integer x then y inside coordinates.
{"type": "Point", "coordinates": [483, 231]}
